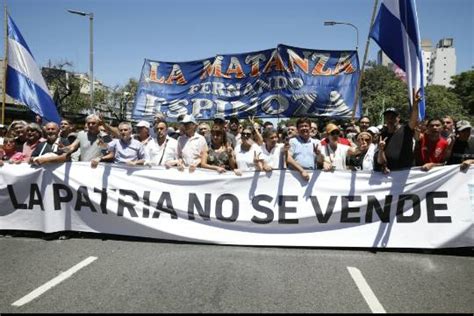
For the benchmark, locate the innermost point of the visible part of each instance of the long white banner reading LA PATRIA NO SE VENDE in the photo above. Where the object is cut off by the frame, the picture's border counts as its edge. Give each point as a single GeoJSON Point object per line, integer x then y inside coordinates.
{"type": "Point", "coordinates": [405, 209]}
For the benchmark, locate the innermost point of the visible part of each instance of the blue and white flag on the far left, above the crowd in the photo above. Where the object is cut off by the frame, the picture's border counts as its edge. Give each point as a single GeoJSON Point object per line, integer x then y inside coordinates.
{"type": "Point", "coordinates": [24, 80]}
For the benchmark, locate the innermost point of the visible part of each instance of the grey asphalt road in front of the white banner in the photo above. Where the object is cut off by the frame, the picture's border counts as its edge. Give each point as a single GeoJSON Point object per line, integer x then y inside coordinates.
{"type": "Point", "coordinates": [159, 276]}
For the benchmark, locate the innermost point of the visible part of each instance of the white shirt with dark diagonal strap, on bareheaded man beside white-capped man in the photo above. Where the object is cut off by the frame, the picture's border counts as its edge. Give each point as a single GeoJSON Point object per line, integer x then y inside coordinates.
{"type": "Point", "coordinates": [157, 155]}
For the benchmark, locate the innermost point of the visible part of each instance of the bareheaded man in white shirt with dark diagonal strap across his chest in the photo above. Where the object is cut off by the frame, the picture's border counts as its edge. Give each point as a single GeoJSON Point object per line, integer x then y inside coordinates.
{"type": "Point", "coordinates": [161, 149]}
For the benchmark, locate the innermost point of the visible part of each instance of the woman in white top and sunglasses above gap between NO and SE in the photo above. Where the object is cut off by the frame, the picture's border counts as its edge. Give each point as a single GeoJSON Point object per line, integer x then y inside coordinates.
{"type": "Point", "coordinates": [248, 154]}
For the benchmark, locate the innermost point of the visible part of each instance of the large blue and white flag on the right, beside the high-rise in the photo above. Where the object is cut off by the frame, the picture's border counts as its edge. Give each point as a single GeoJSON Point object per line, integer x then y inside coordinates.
{"type": "Point", "coordinates": [396, 32]}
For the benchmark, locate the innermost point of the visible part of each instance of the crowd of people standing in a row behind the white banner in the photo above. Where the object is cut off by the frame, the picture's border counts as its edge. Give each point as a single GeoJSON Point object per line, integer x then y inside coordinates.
{"type": "Point", "coordinates": [244, 145]}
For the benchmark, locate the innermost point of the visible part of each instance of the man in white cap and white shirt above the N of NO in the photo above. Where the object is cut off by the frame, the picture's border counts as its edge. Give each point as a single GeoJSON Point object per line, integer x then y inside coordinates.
{"type": "Point", "coordinates": [191, 145]}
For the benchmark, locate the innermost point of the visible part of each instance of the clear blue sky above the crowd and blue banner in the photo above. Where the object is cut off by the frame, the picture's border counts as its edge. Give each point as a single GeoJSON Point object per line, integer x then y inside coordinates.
{"type": "Point", "coordinates": [128, 31]}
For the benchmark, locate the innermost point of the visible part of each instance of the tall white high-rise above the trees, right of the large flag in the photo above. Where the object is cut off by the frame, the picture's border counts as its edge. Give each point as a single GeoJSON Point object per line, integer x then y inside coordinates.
{"type": "Point", "coordinates": [443, 63]}
